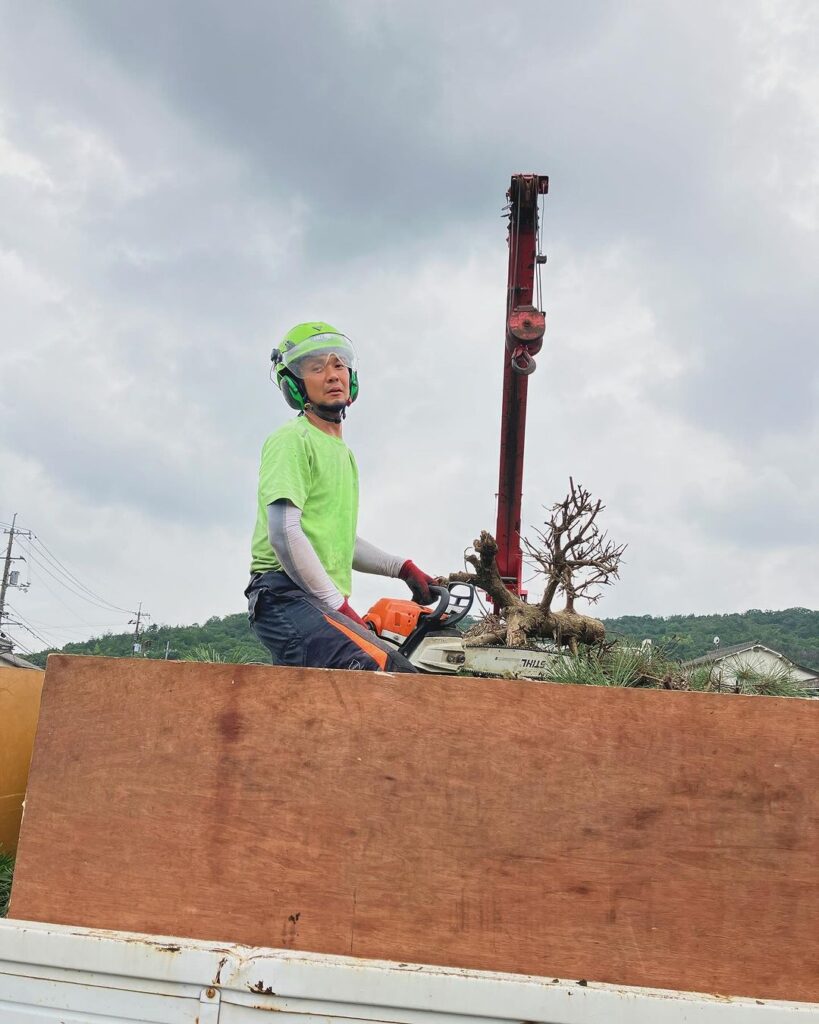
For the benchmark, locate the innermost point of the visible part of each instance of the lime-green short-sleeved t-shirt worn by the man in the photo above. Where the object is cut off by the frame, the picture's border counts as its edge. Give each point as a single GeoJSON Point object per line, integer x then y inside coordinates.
{"type": "Point", "coordinates": [317, 473]}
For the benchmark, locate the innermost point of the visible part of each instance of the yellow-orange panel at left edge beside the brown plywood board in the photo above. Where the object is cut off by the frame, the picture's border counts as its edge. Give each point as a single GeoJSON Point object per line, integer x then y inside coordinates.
{"type": "Point", "coordinates": [20, 707]}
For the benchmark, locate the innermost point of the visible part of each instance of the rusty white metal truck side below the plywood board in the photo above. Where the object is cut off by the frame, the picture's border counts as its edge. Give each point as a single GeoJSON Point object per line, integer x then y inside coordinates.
{"type": "Point", "coordinates": [73, 975]}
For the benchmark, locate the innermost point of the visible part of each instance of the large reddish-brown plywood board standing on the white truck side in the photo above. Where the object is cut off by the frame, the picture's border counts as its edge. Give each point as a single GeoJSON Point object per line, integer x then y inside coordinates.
{"type": "Point", "coordinates": [640, 838]}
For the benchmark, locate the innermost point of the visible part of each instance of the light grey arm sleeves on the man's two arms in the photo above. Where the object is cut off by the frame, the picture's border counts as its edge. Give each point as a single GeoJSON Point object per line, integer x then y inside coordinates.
{"type": "Point", "coordinates": [301, 564]}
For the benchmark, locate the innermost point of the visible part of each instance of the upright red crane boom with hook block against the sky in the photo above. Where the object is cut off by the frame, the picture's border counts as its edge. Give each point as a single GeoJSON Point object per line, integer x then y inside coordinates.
{"type": "Point", "coordinates": [525, 333]}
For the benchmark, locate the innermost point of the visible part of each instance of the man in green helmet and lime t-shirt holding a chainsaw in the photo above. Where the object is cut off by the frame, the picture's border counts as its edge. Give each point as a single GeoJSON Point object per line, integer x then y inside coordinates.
{"type": "Point", "coordinates": [306, 545]}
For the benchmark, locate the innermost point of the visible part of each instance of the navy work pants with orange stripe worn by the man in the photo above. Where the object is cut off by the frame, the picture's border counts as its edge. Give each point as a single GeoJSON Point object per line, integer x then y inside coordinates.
{"type": "Point", "coordinates": [297, 629]}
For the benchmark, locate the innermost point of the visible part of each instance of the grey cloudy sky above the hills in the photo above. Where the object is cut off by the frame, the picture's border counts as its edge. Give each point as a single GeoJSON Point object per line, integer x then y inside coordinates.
{"type": "Point", "coordinates": [181, 183]}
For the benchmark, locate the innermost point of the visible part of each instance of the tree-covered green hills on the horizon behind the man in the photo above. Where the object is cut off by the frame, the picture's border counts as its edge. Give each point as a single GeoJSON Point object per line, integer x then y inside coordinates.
{"type": "Point", "coordinates": [795, 632]}
